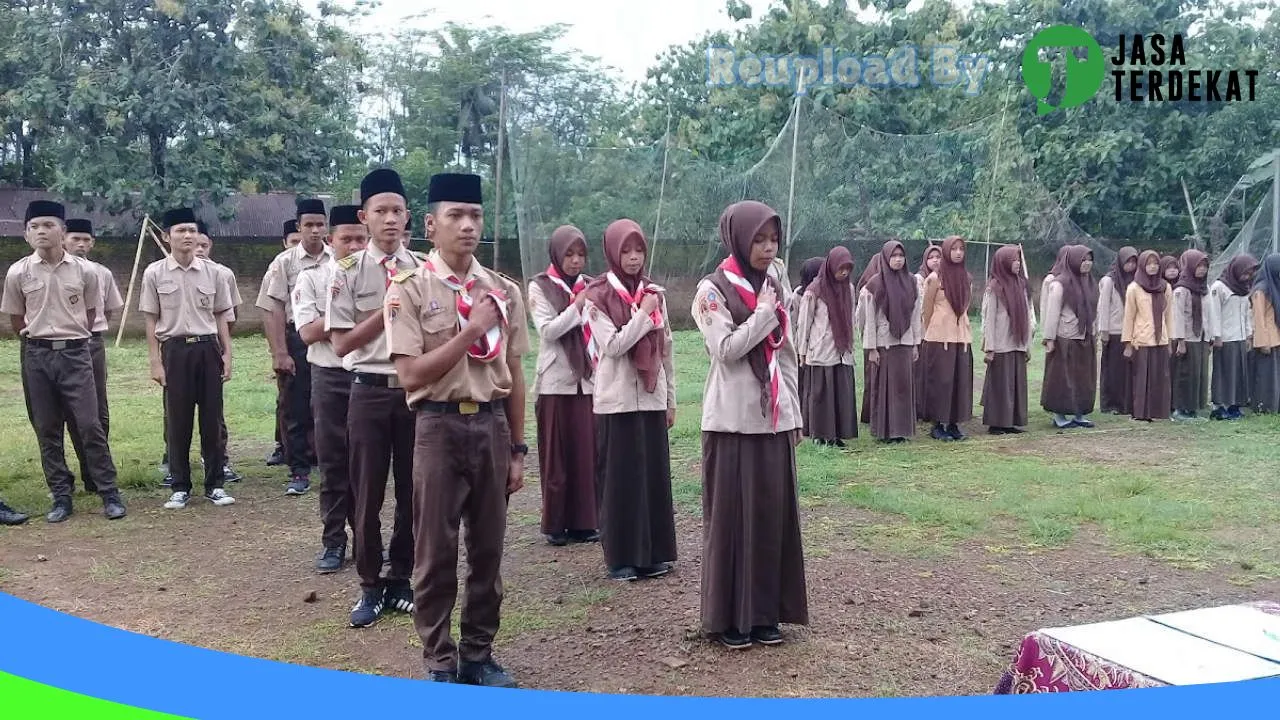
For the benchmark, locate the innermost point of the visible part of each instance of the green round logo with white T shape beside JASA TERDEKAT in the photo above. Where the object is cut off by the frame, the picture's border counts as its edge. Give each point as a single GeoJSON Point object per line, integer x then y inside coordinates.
{"type": "Point", "coordinates": [1081, 79]}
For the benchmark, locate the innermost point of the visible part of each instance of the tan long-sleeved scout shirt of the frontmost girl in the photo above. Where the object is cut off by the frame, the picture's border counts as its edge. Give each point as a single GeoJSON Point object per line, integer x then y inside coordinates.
{"type": "Point", "coordinates": [732, 397]}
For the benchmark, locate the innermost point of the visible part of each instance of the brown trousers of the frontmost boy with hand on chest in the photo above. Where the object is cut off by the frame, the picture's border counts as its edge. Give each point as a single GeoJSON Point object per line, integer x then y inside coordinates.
{"type": "Point", "coordinates": [460, 473]}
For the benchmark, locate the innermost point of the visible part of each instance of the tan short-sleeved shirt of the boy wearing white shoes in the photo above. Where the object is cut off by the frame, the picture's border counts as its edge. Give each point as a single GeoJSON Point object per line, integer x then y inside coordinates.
{"type": "Point", "coordinates": [185, 300]}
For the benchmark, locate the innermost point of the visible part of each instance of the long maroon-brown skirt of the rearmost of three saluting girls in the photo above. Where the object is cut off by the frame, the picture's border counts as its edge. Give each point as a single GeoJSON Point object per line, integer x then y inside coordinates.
{"type": "Point", "coordinates": [566, 462]}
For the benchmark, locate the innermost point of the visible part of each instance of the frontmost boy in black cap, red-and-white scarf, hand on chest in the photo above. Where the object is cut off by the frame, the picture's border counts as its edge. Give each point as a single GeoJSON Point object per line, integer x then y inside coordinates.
{"type": "Point", "coordinates": [458, 332]}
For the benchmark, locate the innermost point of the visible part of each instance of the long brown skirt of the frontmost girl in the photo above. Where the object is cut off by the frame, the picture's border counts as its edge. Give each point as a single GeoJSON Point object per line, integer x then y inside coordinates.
{"type": "Point", "coordinates": [753, 558]}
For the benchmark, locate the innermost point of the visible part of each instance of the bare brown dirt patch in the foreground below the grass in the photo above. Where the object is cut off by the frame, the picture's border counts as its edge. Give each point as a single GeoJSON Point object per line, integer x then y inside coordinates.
{"type": "Point", "coordinates": [239, 580]}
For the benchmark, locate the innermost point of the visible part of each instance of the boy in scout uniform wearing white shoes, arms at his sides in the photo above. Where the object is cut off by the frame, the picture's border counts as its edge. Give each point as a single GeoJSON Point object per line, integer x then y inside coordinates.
{"type": "Point", "coordinates": [186, 300]}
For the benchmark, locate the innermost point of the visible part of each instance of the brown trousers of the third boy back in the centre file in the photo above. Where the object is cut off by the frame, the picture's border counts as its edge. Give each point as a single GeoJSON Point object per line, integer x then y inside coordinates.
{"type": "Point", "coordinates": [331, 393]}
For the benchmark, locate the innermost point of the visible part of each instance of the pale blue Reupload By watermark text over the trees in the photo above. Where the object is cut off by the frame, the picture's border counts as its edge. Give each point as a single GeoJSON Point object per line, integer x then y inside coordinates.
{"type": "Point", "coordinates": [903, 67]}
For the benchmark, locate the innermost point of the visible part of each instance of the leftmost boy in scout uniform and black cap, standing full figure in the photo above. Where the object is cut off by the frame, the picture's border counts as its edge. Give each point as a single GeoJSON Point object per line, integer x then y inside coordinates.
{"type": "Point", "coordinates": [53, 299]}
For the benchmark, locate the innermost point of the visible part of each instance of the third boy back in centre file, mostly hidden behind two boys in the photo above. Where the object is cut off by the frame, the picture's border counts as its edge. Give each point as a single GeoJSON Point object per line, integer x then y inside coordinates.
{"type": "Point", "coordinates": [331, 388]}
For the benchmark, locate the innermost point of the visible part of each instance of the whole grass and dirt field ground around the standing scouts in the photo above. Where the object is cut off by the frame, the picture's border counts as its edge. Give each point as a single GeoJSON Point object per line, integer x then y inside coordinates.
{"type": "Point", "coordinates": [990, 536]}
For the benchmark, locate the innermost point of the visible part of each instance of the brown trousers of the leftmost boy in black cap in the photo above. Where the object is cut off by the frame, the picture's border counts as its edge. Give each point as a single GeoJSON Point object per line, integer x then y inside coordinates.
{"type": "Point", "coordinates": [60, 388]}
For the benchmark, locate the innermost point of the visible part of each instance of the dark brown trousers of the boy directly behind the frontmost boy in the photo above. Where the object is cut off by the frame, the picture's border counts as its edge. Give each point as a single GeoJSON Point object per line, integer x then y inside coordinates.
{"type": "Point", "coordinates": [381, 440]}
